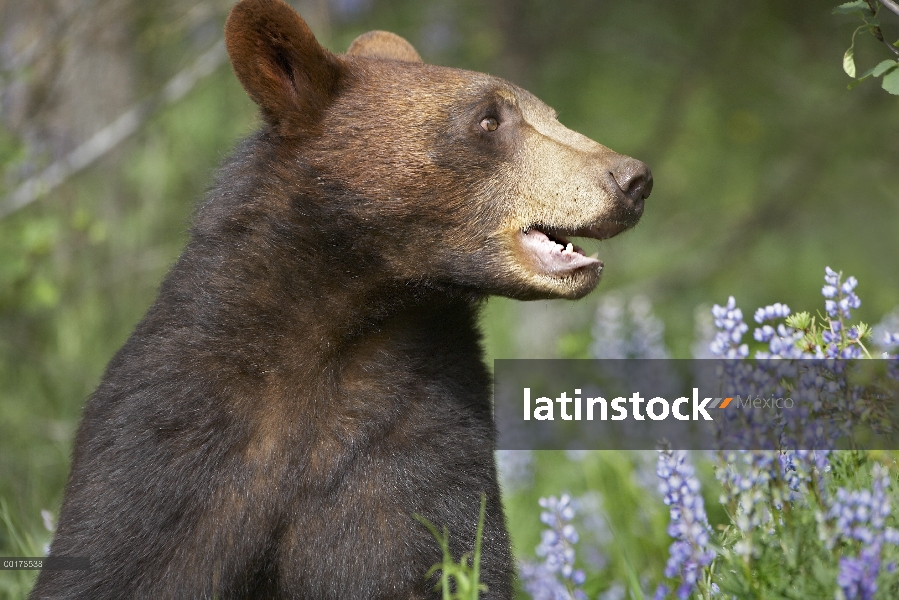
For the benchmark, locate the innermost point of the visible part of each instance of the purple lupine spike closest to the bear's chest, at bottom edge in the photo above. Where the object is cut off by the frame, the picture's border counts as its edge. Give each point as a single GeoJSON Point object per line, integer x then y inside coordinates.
{"type": "Point", "coordinates": [555, 578]}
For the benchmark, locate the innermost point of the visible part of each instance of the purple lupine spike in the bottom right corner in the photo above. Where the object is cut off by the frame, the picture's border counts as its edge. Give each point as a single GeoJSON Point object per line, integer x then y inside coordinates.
{"type": "Point", "coordinates": [860, 516]}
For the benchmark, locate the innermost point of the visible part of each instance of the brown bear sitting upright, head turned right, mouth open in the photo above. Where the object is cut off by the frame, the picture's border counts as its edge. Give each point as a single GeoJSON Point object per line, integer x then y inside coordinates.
{"type": "Point", "coordinates": [310, 376]}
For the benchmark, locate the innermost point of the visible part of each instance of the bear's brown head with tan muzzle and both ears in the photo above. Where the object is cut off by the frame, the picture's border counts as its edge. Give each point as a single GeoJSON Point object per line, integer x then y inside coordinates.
{"type": "Point", "coordinates": [458, 179]}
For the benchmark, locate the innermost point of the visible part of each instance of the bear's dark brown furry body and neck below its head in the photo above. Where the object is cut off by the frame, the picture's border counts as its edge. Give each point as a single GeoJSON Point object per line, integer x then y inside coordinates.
{"type": "Point", "coordinates": [281, 412]}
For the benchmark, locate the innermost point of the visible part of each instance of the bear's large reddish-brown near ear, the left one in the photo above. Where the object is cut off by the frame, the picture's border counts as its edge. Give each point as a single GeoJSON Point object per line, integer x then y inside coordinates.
{"type": "Point", "coordinates": [280, 63]}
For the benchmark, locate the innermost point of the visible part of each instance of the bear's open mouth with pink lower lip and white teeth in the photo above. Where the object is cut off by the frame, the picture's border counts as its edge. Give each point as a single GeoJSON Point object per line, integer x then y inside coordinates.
{"type": "Point", "coordinates": [550, 249]}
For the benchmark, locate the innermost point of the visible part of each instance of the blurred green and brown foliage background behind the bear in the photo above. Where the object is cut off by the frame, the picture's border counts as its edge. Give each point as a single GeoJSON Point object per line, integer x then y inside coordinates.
{"type": "Point", "coordinates": [766, 169]}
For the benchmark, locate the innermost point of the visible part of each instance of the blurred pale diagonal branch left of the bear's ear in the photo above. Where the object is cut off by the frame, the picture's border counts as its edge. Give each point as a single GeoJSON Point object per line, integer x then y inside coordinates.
{"type": "Point", "coordinates": [113, 134]}
